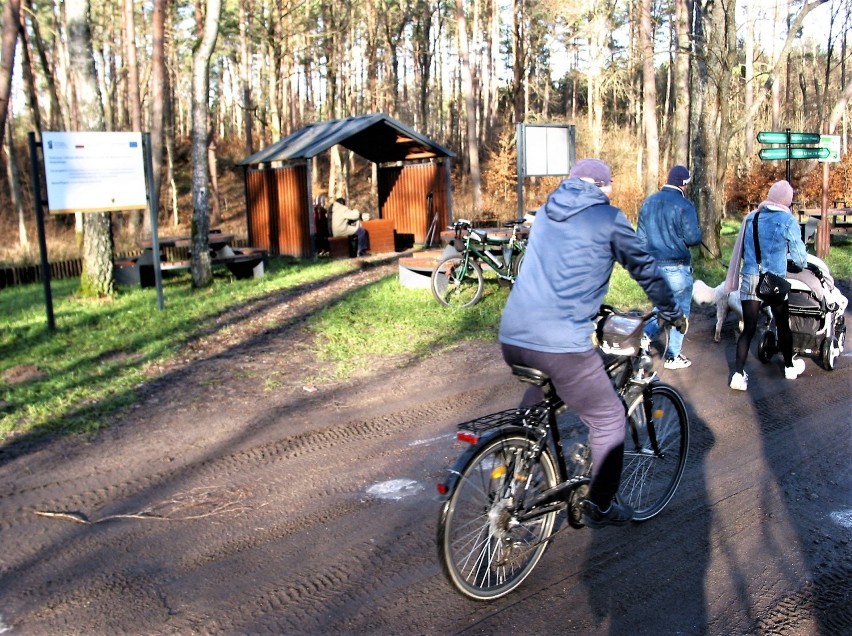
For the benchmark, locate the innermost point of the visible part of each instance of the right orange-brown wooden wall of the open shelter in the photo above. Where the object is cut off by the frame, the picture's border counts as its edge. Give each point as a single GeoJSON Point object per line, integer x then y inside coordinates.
{"type": "Point", "coordinates": [403, 194]}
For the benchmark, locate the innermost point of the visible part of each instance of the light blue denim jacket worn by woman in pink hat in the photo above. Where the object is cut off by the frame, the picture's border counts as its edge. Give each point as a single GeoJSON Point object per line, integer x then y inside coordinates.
{"type": "Point", "coordinates": [780, 240]}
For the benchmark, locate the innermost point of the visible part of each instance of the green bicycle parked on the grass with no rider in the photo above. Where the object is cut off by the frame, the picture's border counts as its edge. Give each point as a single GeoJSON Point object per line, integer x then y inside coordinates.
{"type": "Point", "coordinates": [458, 280]}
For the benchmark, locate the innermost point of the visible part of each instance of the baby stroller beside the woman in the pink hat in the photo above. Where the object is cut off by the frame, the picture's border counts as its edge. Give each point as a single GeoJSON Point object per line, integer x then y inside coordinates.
{"type": "Point", "coordinates": [816, 317]}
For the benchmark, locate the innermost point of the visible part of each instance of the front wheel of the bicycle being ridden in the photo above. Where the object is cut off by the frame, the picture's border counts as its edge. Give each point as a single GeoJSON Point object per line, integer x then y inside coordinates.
{"type": "Point", "coordinates": [655, 451]}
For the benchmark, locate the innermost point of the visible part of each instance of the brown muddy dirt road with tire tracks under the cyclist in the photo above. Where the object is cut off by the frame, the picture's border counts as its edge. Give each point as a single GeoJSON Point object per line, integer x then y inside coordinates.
{"type": "Point", "coordinates": [241, 496]}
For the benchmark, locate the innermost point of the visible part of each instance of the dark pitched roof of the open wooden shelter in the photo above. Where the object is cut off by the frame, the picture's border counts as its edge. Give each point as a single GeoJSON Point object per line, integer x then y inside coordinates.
{"type": "Point", "coordinates": [376, 137]}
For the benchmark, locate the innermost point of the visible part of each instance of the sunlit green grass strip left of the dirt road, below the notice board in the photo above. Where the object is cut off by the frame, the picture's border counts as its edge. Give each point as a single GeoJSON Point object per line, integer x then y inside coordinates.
{"type": "Point", "coordinates": [74, 378]}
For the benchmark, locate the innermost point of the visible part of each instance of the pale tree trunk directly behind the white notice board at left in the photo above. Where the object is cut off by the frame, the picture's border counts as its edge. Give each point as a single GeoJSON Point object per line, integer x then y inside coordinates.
{"type": "Point", "coordinates": [97, 276]}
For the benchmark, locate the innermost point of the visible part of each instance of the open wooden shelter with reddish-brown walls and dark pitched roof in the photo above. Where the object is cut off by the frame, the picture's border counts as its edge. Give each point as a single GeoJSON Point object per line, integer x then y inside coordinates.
{"type": "Point", "coordinates": [413, 181]}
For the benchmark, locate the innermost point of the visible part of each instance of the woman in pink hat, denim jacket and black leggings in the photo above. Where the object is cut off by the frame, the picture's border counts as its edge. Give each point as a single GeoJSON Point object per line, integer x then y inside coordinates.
{"type": "Point", "coordinates": [780, 241]}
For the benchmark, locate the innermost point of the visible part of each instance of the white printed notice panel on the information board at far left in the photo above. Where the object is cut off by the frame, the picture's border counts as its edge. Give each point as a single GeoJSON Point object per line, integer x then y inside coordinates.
{"type": "Point", "coordinates": [94, 171]}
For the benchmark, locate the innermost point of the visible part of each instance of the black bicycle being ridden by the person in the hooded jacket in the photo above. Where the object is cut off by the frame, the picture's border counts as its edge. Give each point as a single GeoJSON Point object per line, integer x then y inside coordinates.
{"type": "Point", "coordinates": [503, 495]}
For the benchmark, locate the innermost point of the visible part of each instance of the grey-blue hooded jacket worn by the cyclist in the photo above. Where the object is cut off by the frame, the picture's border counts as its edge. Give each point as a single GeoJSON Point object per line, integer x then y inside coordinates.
{"type": "Point", "coordinates": [576, 239]}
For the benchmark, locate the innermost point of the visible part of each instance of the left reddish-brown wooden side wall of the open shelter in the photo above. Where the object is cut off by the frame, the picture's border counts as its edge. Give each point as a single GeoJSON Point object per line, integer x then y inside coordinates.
{"type": "Point", "coordinates": [278, 214]}
